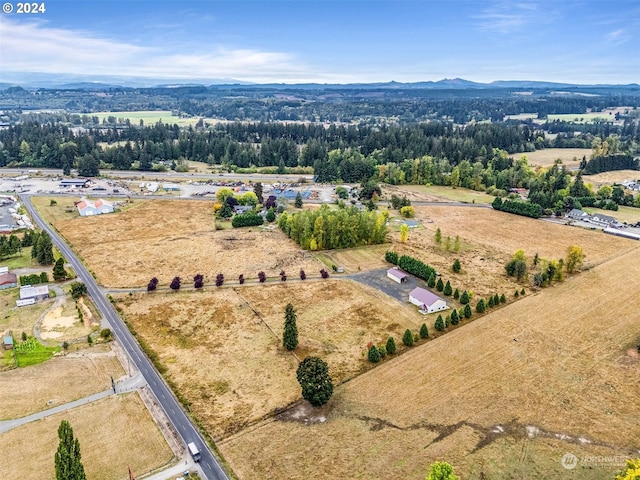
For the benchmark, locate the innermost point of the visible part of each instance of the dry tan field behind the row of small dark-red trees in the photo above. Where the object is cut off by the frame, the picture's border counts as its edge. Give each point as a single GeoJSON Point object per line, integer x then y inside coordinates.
{"type": "Point", "coordinates": [165, 238]}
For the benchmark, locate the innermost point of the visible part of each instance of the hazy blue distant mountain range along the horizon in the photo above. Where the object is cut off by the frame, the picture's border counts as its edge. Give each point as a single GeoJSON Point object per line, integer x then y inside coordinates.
{"type": "Point", "coordinates": [85, 82]}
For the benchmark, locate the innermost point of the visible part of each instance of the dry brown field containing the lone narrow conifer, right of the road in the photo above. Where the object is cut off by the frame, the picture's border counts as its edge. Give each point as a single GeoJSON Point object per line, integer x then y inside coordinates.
{"type": "Point", "coordinates": [228, 361]}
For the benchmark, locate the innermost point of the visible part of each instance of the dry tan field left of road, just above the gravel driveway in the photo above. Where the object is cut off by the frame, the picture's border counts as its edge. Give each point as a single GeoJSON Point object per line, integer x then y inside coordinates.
{"type": "Point", "coordinates": [57, 381]}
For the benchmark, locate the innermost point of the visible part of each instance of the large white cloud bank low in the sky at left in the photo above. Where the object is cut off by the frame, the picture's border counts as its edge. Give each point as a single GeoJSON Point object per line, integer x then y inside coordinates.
{"type": "Point", "coordinates": [36, 47]}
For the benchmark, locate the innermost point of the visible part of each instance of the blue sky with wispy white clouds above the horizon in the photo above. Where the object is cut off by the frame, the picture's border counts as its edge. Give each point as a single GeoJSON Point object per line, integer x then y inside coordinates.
{"type": "Point", "coordinates": [329, 41]}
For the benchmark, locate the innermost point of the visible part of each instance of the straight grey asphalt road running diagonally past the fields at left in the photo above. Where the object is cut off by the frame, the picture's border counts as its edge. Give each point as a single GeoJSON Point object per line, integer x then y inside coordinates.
{"type": "Point", "coordinates": [209, 464]}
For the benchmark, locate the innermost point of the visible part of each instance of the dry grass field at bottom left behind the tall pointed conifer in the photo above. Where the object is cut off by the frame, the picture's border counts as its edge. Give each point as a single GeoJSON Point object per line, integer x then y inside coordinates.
{"type": "Point", "coordinates": [114, 433]}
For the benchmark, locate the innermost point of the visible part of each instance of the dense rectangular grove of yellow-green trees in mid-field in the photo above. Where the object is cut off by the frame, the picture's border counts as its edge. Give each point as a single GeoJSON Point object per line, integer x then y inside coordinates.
{"type": "Point", "coordinates": [324, 228]}
